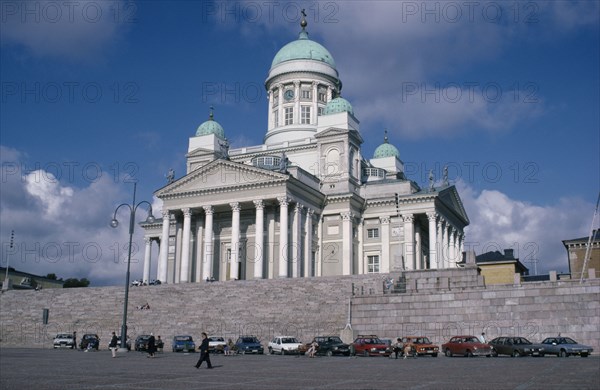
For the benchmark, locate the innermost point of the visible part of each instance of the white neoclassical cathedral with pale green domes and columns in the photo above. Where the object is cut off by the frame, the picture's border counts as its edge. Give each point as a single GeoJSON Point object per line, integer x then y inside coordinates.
{"type": "Point", "coordinates": [305, 203]}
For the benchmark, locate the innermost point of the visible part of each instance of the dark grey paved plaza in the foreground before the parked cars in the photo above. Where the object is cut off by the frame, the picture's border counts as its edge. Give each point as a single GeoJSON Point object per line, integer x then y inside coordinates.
{"type": "Point", "coordinates": [40, 369]}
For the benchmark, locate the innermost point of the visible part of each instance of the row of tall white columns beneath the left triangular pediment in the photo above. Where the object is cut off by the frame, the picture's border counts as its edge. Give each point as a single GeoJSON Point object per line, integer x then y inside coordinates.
{"type": "Point", "coordinates": [302, 265]}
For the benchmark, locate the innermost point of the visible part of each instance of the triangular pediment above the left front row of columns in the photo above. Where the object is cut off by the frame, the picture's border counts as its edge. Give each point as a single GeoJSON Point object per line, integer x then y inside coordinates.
{"type": "Point", "coordinates": [221, 175]}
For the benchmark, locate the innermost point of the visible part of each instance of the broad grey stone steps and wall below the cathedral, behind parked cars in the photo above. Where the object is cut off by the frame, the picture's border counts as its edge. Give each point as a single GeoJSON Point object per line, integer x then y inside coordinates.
{"type": "Point", "coordinates": [437, 303]}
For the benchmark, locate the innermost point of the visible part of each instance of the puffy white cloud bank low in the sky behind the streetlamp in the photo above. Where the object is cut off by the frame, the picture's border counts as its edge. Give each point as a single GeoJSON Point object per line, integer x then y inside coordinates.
{"type": "Point", "coordinates": [64, 229]}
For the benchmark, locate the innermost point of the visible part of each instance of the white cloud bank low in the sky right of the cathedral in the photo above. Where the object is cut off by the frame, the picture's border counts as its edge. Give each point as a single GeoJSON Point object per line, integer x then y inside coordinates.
{"type": "Point", "coordinates": [535, 232]}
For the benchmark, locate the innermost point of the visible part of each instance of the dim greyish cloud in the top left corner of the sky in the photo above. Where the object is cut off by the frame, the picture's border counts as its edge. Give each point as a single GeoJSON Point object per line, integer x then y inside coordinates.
{"type": "Point", "coordinates": [78, 30]}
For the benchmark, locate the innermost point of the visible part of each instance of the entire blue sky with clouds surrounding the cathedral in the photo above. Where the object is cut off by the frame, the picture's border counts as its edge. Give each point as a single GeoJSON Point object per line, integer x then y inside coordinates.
{"type": "Point", "coordinates": [95, 94]}
